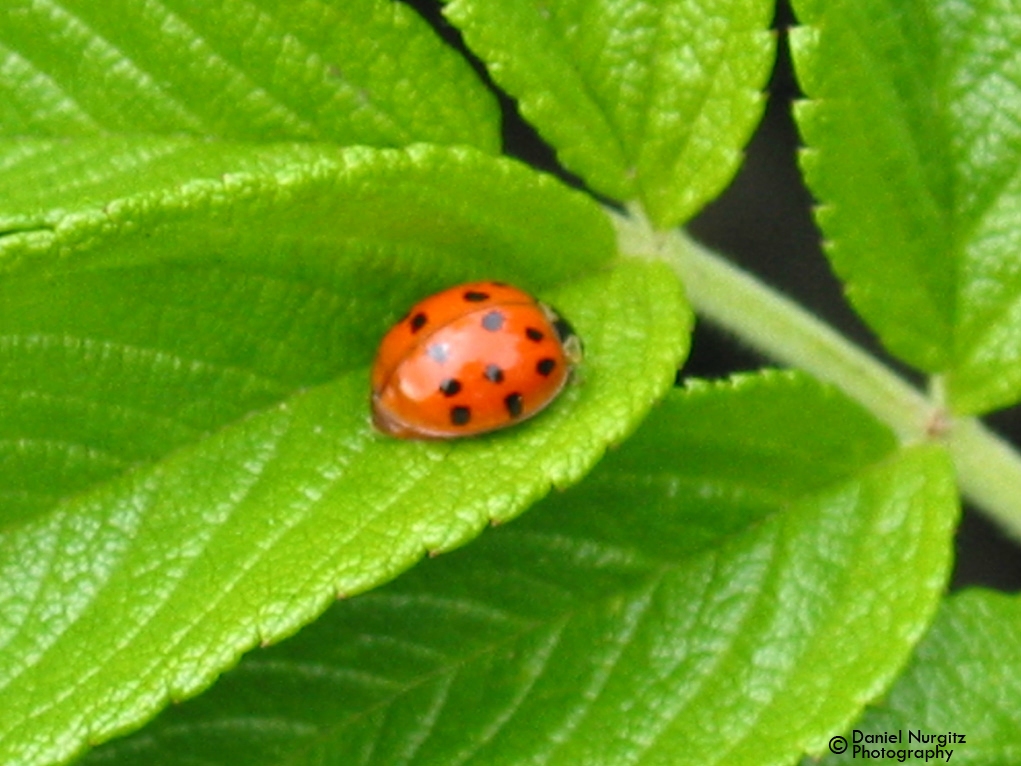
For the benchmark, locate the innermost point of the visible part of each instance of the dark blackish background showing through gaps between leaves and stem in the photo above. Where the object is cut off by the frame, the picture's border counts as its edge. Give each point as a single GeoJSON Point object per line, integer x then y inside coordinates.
{"type": "Point", "coordinates": [764, 222]}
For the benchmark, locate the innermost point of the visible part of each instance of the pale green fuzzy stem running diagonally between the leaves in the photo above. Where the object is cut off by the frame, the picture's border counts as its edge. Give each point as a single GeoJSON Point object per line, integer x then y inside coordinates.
{"type": "Point", "coordinates": [989, 468]}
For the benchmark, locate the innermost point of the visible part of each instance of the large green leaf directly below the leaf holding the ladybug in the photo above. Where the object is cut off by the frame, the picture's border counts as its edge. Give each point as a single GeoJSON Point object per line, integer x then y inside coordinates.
{"type": "Point", "coordinates": [685, 605]}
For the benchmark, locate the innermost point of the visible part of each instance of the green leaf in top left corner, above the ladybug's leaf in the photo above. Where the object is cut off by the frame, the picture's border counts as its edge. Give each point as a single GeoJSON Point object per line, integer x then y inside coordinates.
{"type": "Point", "coordinates": [370, 72]}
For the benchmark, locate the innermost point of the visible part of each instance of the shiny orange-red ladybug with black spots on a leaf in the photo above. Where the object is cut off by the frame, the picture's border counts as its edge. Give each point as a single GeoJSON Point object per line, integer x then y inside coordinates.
{"type": "Point", "coordinates": [470, 360]}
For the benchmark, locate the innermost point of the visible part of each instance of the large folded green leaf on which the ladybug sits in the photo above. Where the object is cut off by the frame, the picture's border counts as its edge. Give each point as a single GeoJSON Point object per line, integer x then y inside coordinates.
{"type": "Point", "coordinates": [186, 459]}
